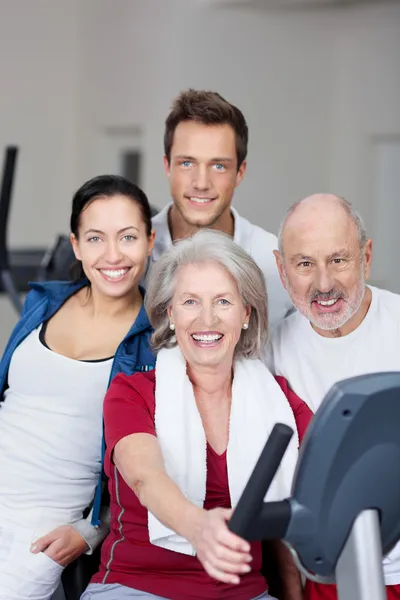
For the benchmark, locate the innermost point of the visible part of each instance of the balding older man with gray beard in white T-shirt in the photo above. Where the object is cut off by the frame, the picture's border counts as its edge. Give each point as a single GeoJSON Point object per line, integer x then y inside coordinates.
{"type": "Point", "coordinates": [342, 327]}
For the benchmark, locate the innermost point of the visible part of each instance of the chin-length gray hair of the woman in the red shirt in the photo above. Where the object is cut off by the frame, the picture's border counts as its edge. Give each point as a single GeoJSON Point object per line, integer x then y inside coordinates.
{"type": "Point", "coordinates": [205, 246]}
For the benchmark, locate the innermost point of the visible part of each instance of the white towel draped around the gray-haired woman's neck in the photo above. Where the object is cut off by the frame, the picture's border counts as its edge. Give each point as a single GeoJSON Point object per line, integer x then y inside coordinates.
{"type": "Point", "coordinates": [257, 404]}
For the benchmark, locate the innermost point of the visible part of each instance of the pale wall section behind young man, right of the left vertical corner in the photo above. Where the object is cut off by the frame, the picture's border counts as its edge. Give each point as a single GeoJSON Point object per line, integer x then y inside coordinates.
{"type": "Point", "coordinates": [314, 85]}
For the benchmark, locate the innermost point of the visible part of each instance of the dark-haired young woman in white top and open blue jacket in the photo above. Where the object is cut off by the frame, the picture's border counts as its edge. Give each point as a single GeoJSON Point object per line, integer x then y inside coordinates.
{"type": "Point", "coordinates": [71, 340]}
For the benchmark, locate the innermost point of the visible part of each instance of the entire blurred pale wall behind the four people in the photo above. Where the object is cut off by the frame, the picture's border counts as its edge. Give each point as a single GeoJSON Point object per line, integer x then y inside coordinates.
{"type": "Point", "coordinates": [316, 87]}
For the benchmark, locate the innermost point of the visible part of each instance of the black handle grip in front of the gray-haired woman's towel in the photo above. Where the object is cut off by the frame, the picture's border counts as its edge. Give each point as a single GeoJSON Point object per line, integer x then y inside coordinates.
{"type": "Point", "coordinates": [250, 505]}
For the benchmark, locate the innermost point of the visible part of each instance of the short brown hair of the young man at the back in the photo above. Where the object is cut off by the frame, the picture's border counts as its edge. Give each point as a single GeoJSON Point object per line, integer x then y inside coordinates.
{"type": "Point", "coordinates": [208, 108]}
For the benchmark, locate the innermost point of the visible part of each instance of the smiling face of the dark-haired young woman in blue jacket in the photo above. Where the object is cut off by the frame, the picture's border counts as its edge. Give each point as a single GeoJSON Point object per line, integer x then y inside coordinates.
{"type": "Point", "coordinates": [112, 245]}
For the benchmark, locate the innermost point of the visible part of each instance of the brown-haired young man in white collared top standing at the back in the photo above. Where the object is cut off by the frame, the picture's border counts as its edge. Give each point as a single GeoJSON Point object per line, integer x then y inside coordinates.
{"type": "Point", "coordinates": [205, 145]}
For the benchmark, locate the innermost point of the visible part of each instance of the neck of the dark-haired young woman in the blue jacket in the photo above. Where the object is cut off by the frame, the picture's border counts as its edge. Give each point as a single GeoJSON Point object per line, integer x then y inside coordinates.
{"type": "Point", "coordinates": [104, 306]}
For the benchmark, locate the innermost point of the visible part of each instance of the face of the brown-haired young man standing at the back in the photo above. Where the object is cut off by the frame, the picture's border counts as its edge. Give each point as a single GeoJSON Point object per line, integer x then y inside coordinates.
{"type": "Point", "coordinates": [203, 172]}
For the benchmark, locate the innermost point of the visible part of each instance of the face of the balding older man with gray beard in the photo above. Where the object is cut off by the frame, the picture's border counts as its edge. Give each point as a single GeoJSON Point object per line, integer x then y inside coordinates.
{"type": "Point", "coordinates": [323, 267]}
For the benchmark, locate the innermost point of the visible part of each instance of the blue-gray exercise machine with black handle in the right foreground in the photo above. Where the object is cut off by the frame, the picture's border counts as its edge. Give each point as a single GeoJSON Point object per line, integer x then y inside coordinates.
{"type": "Point", "coordinates": [344, 512]}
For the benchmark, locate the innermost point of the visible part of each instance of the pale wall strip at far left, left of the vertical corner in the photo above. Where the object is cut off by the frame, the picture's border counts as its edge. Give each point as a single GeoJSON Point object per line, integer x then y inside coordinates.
{"type": "Point", "coordinates": [39, 98]}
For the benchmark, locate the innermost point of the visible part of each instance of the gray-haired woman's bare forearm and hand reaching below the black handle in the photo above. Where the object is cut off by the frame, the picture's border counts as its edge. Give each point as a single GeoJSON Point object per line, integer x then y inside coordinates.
{"type": "Point", "coordinates": [223, 555]}
